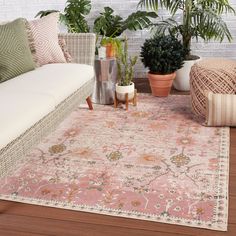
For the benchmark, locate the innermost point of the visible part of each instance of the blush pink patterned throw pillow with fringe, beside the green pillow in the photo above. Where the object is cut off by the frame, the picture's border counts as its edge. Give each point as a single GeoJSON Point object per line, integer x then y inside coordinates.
{"type": "Point", "coordinates": [45, 36]}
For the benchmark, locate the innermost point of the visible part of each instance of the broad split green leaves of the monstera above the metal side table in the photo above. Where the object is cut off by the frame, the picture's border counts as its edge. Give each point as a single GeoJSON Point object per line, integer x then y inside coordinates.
{"type": "Point", "coordinates": [110, 25]}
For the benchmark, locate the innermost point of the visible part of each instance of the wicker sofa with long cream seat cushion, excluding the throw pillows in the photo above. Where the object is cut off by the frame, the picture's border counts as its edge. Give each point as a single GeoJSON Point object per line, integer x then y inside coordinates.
{"type": "Point", "coordinates": [34, 103]}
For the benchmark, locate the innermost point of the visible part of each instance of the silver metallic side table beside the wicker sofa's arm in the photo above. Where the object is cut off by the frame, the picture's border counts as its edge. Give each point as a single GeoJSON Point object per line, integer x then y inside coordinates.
{"type": "Point", "coordinates": [106, 77]}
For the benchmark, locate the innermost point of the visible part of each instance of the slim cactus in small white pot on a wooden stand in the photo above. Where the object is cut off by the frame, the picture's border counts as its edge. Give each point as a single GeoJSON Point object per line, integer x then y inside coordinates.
{"type": "Point", "coordinates": [125, 73]}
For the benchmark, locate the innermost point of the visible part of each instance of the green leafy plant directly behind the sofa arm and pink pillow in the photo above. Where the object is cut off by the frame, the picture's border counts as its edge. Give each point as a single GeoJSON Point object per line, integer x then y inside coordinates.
{"type": "Point", "coordinates": [74, 15]}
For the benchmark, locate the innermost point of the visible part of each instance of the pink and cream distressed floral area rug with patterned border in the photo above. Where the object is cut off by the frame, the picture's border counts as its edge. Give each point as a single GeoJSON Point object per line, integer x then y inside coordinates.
{"type": "Point", "coordinates": [154, 162]}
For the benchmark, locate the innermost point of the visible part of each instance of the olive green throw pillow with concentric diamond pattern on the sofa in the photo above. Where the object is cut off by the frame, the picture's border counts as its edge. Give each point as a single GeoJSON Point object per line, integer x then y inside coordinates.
{"type": "Point", "coordinates": [15, 54]}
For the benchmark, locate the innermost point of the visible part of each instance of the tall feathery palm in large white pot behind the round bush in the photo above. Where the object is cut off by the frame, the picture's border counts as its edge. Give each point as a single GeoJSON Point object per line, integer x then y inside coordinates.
{"type": "Point", "coordinates": [199, 19]}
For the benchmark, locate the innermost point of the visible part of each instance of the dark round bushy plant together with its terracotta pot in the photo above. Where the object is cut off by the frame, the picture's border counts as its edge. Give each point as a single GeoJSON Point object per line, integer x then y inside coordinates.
{"type": "Point", "coordinates": [163, 55]}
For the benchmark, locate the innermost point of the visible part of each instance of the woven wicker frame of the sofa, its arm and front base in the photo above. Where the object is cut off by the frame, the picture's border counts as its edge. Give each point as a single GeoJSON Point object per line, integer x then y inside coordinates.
{"type": "Point", "coordinates": [82, 49]}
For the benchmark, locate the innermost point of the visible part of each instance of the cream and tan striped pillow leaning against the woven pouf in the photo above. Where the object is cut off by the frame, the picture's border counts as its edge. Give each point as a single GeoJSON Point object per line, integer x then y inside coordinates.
{"type": "Point", "coordinates": [221, 109]}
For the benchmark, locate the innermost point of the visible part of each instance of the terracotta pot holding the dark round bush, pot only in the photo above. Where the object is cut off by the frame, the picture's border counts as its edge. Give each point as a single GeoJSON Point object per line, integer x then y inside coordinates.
{"type": "Point", "coordinates": [161, 84]}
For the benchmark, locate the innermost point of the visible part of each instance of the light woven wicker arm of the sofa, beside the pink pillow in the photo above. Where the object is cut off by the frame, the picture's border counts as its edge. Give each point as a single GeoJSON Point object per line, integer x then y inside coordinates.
{"type": "Point", "coordinates": [81, 47]}
